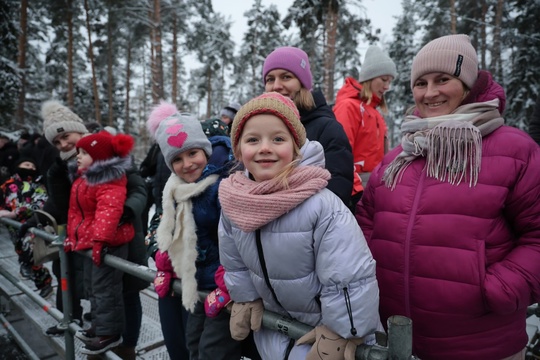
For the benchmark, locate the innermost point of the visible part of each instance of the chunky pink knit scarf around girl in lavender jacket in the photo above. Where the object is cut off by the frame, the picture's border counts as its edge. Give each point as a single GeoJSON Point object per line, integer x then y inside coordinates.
{"type": "Point", "coordinates": [250, 204]}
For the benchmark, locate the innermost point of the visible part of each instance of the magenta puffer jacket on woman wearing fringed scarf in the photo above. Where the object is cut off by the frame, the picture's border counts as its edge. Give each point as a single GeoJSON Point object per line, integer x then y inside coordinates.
{"type": "Point", "coordinates": [462, 262]}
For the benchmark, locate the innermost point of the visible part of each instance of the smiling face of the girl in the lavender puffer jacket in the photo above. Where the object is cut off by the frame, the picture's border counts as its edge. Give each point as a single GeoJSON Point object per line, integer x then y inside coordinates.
{"type": "Point", "coordinates": [266, 146]}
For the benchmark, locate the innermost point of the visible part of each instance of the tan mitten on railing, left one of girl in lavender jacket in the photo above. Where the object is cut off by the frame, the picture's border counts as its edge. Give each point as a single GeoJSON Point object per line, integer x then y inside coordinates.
{"type": "Point", "coordinates": [245, 317]}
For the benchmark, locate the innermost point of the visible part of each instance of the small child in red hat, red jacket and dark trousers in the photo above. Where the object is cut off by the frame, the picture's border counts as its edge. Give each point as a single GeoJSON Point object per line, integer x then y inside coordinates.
{"type": "Point", "coordinates": [96, 205]}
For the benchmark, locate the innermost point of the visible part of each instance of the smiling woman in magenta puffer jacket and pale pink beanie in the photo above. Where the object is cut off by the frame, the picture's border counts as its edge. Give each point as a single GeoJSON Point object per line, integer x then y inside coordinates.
{"type": "Point", "coordinates": [452, 215]}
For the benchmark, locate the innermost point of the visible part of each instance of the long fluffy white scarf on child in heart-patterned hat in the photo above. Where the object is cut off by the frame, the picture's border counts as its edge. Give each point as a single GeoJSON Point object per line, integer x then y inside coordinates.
{"type": "Point", "coordinates": [177, 235]}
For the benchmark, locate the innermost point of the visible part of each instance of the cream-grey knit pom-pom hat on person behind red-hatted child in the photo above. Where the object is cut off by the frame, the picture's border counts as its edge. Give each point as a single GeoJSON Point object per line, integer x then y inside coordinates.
{"type": "Point", "coordinates": [58, 119]}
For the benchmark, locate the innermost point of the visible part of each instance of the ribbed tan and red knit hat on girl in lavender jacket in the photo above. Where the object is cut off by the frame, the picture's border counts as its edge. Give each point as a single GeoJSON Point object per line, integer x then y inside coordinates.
{"type": "Point", "coordinates": [270, 103]}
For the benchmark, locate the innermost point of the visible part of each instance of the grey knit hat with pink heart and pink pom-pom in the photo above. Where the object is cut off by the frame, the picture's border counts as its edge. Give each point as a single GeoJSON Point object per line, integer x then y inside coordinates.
{"type": "Point", "coordinates": [176, 132]}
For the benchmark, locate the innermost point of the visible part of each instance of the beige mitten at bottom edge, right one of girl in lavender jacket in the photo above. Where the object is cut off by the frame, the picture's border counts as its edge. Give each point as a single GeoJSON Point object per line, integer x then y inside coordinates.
{"type": "Point", "coordinates": [326, 341]}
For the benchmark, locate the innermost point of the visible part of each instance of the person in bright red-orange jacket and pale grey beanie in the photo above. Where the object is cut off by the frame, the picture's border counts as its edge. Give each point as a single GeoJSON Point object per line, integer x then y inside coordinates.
{"type": "Point", "coordinates": [356, 109]}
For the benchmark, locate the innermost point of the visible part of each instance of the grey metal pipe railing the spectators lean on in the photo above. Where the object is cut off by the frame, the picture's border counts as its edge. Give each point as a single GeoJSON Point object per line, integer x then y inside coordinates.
{"type": "Point", "coordinates": [396, 345]}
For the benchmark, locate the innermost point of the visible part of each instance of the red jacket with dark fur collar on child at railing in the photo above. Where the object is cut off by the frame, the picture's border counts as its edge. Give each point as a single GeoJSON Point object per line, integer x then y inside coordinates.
{"type": "Point", "coordinates": [96, 205]}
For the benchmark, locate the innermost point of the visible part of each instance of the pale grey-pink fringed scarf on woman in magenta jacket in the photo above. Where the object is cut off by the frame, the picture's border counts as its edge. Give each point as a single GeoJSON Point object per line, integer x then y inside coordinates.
{"type": "Point", "coordinates": [451, 144]}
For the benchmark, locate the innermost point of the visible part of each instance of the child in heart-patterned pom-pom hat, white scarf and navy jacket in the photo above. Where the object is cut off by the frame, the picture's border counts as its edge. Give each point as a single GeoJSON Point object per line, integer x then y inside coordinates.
{"type": "Point", "coordinates": [187, 236]}
